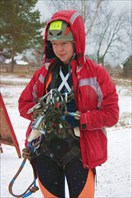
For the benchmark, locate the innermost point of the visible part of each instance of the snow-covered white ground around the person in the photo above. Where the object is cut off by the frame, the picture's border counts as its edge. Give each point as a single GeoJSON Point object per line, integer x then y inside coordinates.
{"type": "Point", "coordinates": [113, 178]}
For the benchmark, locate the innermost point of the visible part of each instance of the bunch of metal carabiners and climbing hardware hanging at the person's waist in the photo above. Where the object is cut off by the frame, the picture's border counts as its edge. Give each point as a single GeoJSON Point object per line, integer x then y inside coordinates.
{"type": "Point", "coordinates": [51, 120]}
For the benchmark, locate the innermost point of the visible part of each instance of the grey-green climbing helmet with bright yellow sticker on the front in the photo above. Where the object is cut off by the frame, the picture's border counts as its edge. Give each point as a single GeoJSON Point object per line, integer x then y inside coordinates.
{"type": "Point", "coordinates": [59, 30]}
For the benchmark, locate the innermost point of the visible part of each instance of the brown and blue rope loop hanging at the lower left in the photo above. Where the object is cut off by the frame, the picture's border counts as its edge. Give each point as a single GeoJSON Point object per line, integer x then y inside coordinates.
{"type": "Point", "coordinates": [31, 189]}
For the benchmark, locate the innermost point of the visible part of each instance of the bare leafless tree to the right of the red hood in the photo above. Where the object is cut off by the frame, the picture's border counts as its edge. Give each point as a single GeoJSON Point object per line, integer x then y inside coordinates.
{"type": "Point", "coordinates": [110, 36]}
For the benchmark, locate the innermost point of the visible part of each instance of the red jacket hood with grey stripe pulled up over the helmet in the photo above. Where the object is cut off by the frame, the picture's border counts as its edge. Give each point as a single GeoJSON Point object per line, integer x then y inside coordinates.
{"type": "Point", "coordinates": [74, 19]}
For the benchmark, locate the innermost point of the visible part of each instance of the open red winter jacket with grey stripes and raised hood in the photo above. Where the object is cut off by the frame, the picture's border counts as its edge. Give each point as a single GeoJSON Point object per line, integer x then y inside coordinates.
{"type": "Point", "coordinates": [95, 94]}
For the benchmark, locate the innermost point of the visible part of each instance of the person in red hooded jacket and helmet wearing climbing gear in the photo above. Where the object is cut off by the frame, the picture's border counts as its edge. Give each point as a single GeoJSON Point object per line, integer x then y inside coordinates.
{"type": "Point", "coordinates": [74, 146]}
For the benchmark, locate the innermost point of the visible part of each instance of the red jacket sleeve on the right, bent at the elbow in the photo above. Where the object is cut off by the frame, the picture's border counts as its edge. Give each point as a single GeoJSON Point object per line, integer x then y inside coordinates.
{"type": "Point", "coordinates": [108, 113]}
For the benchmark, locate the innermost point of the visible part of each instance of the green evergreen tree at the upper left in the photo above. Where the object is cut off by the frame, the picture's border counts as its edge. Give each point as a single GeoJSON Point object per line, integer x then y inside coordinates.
{"type": "Point", "coordinates": [20, 27]}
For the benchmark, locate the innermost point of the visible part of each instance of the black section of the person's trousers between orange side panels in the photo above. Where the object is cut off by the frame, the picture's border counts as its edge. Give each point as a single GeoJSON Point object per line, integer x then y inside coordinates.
{"type": "Point", "coordinates": [52, 174]}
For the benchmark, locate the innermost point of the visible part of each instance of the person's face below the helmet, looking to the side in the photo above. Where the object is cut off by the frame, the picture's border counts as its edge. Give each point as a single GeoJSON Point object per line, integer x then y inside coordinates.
{"type": "Point", "coordinates": [63, 50]}
